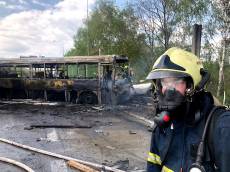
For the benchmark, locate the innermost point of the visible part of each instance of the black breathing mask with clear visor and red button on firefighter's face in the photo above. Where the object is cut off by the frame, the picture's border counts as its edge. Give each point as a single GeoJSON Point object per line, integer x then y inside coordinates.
{"type": "Point", "coordinates": [171, 98]}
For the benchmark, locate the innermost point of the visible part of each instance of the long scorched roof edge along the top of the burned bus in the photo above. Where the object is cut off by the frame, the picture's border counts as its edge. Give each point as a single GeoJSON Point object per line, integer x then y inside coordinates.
{"type": "Point", "coordinates": [69, 59]}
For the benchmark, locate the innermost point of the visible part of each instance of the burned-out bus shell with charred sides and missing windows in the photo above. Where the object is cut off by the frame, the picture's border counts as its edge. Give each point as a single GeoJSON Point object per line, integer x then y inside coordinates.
{"type": "Point", "coordinates": [77, 79]}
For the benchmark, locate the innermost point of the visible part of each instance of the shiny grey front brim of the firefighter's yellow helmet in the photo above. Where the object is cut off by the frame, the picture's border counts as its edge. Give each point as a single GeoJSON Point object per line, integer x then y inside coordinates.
{"type": "Point", "coordinates": [165, 74]}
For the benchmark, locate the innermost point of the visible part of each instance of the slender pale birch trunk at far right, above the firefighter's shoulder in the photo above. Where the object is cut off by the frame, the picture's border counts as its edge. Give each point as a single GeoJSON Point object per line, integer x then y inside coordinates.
{"type": "Point", "coordinates": [221, 68]}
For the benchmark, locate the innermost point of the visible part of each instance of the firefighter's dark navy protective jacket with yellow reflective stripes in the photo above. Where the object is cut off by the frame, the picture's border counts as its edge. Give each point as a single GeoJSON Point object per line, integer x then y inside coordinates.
{"type": "Point", "coordinates": [173, 149]}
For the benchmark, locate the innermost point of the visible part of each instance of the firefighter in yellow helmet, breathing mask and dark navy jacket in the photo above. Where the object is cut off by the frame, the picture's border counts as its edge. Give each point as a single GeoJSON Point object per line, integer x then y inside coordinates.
{"type": "Point", "coordinates": [180, 142]}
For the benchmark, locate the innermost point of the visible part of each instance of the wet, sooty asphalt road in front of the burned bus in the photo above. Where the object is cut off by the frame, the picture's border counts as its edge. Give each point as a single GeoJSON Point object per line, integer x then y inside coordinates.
{"type": "Point", "coordinates": [112, 138]}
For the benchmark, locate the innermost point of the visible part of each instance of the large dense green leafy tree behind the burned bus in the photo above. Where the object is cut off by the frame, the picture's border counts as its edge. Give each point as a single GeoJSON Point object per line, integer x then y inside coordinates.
{"type": "Point", "coordinates": [109, 31]}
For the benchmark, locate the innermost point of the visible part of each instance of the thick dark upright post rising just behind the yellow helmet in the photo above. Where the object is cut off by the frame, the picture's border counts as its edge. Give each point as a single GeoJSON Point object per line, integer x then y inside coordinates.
{"type": "Point", "coordinates": [196, 39]}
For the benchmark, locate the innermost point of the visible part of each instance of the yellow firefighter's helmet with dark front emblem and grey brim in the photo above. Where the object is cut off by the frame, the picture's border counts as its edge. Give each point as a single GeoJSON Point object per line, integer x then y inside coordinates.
{"type": "Point", "coordinates": [176, 62]}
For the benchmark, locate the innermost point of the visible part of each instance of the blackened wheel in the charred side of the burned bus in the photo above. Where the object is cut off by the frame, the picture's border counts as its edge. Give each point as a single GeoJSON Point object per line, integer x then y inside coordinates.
{"type": "Point", "coordinates": [88, 98]}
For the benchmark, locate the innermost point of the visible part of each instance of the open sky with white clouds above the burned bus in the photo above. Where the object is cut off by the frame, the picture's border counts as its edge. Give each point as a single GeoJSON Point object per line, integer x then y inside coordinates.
{"type": "Point", "coordinates": [40, 27]}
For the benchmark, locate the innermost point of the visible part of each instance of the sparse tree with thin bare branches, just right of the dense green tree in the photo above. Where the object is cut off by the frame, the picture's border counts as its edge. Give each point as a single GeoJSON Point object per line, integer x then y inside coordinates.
{"type": "Point", "coordinates": [154, 18]}
